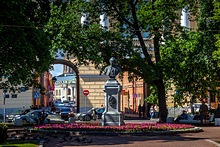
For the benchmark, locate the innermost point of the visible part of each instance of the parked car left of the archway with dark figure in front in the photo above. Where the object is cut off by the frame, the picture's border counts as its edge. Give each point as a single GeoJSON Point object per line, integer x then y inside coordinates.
{"type": "Point", "coordinates": [30, 118]}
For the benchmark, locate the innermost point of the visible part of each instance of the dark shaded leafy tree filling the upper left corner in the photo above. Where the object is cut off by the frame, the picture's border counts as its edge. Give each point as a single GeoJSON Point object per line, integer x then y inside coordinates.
{"type": "Point", "coordinates": [24, 46]}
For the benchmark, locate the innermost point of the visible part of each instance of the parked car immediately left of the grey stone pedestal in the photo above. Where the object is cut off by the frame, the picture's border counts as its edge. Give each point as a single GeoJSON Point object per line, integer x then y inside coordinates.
{"type": "Point", "coordinates": [87, 116]}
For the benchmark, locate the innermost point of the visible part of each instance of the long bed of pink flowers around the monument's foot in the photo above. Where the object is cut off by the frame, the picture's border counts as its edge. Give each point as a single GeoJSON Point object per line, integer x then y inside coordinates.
{"type": "Point", "coordinates": [127, 128]}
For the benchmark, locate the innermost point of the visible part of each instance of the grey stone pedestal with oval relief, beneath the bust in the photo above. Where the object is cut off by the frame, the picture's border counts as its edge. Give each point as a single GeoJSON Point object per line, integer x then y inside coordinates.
{"type": "Point", "coordinates": [112, 115]}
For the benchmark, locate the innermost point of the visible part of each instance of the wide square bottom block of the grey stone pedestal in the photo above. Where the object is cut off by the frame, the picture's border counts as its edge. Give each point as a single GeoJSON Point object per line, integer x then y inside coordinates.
{"type": "Point", "coordinates": [112, 119]}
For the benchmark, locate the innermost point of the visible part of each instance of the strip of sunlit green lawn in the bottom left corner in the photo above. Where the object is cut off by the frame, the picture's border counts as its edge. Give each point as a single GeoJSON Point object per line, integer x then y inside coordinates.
{"type": "Point", "coordinates": [19, 143]}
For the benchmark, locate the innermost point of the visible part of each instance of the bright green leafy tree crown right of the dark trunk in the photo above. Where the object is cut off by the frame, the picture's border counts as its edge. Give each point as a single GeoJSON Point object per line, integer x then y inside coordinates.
{"type": "Point", "coordinates": [193, 71]}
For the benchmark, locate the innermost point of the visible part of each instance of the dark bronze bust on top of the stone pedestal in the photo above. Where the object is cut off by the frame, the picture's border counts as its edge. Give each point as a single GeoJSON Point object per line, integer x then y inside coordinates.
{"type": "Point", "coordinates": [112, 70]}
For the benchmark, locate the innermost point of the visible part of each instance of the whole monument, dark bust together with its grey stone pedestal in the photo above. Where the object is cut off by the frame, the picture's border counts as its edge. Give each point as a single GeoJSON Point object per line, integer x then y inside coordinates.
{"type": "Point", "coordinates": [112, 115]}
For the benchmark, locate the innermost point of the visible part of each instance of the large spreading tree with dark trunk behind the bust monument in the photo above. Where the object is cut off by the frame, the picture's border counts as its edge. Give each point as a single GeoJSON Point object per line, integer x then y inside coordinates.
{"type": "Point", "coordinates": [155, 20]}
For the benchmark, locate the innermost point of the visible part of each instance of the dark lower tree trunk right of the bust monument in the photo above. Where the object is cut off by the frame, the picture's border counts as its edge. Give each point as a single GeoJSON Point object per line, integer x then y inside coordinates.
{"type": "Point", "coordinates": [163, 112]}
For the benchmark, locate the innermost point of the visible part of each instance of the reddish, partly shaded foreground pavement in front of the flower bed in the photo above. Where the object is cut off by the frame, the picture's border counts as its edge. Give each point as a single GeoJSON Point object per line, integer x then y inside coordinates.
{"type": "Point", "coordinates": [199, 139]}
